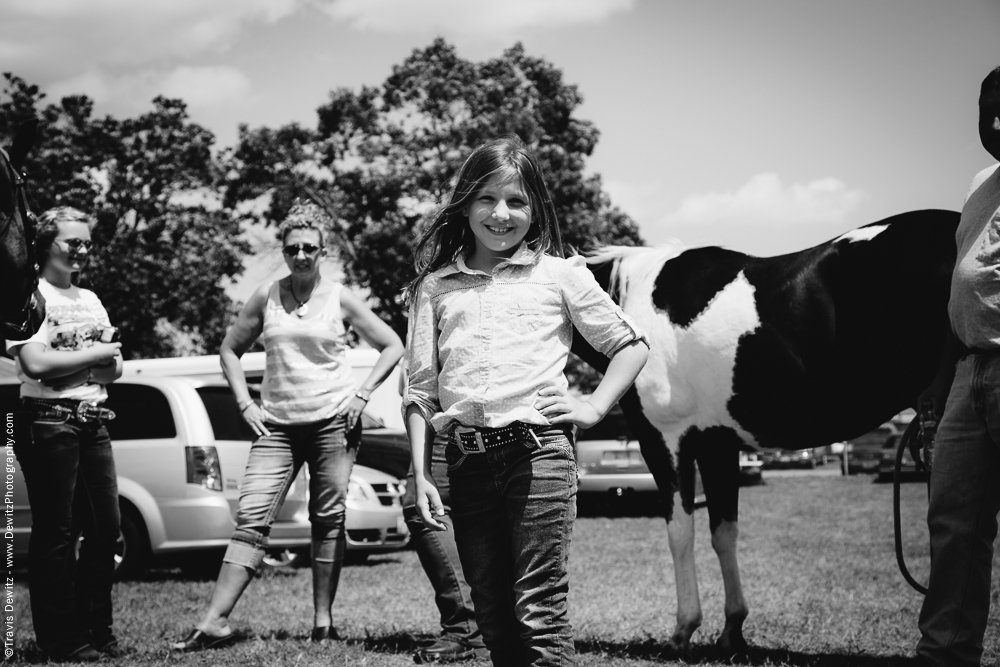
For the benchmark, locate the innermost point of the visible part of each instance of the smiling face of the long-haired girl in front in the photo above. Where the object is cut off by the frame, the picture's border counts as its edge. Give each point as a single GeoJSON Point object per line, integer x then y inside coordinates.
{"type": "Point", "coordinates": [499, 216]}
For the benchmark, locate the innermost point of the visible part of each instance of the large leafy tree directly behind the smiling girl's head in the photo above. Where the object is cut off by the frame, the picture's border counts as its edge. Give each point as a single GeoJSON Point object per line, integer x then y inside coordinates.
{"type": "Point", "coordinates": [383, 158]}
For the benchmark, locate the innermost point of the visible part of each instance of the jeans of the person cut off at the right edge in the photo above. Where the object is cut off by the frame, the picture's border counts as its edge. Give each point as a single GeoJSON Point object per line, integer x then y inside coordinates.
{"type": "Point", "coordinates": [962, 516]}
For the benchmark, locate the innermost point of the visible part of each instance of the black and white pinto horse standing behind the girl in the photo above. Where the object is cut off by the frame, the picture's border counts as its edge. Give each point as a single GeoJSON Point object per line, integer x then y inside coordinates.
{"type": "Point", "coordinates": [793, 351]}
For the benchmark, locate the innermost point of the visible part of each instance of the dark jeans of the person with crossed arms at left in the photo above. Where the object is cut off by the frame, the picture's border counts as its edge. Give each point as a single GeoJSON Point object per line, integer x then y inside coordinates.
{"type": "Point", "coordinates": [70, 477]}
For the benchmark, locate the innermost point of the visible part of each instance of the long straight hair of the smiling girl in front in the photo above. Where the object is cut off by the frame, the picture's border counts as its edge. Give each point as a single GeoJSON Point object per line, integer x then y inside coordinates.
{"type": "Point", "coordinates": [449, 235]}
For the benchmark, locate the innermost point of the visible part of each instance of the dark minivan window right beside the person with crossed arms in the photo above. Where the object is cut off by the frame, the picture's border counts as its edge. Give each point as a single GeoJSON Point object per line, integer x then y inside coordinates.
{"type": "Point", "coordinates": [141, 413]}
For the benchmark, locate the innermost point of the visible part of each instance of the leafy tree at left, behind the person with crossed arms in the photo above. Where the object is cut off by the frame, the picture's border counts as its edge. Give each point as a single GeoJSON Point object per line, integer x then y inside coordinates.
{"type": "Point", "coordinates": [163, 248]}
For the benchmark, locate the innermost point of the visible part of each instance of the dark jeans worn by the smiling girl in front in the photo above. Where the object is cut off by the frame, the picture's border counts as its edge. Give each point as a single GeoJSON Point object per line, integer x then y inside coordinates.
{"type": "Point", "coordinates": [514, 508]}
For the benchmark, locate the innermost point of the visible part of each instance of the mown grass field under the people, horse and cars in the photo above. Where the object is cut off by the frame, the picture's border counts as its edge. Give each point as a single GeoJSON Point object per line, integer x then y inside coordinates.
{"type": "Point", "coordinates": [817, 561]}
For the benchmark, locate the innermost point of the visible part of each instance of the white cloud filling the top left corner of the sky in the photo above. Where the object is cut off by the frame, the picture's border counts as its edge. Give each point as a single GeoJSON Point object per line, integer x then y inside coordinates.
{"type": "Point", "coordinates": [120, 33]}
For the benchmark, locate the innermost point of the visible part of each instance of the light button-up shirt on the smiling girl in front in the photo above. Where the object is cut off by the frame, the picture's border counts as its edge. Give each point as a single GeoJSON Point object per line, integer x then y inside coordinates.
{"type": "Point", "coordinates": [481, 345]}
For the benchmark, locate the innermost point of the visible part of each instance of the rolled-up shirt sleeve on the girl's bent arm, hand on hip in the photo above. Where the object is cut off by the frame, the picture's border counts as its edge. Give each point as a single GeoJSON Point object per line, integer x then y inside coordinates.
{"type": "Point", "coordinates": [594, 314]}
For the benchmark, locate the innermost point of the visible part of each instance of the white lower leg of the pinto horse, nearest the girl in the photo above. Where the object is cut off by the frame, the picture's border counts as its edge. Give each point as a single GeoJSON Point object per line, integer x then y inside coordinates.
{"type": "Point", "coordinates": [680, 530]}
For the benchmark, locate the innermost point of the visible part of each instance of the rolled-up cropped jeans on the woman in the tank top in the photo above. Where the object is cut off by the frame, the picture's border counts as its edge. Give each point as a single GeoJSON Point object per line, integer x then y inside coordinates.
{"type": "Point", "coordinates": [274, 461]}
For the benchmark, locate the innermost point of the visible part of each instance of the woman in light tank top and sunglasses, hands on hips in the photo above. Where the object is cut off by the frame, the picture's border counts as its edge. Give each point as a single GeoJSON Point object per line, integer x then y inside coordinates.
{"type": "Point", "coordinates": [310, 414]}
